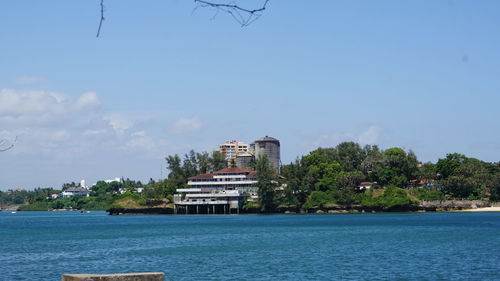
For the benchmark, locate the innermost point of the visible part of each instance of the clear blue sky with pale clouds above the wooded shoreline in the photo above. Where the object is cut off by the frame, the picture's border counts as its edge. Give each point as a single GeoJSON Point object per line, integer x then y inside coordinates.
{"type": "Point", "coordinates": [166, 77]}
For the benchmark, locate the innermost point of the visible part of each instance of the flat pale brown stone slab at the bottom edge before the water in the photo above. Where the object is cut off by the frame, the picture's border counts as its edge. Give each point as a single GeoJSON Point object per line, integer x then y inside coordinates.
{"type": "Point", "coordinates": [143, 276]}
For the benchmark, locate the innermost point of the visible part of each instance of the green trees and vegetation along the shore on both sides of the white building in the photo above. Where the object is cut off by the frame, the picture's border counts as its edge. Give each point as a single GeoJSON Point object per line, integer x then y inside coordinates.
{"type": "Point", "coordinates": [345, 178]}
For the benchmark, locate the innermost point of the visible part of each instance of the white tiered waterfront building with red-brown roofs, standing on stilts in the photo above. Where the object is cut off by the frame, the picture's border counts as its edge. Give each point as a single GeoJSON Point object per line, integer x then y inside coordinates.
{"type": "Point", "coordinates": [223, 191]}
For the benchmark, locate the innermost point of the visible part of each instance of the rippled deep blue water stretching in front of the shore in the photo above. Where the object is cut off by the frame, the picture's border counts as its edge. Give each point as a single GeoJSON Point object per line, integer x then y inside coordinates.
{"type": "Point", "coordinates": [420, 246]}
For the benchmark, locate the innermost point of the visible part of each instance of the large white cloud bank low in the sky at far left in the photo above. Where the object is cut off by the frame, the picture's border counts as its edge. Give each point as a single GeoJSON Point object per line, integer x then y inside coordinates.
{"type": "Point", "coordinates": [57, 126]}
